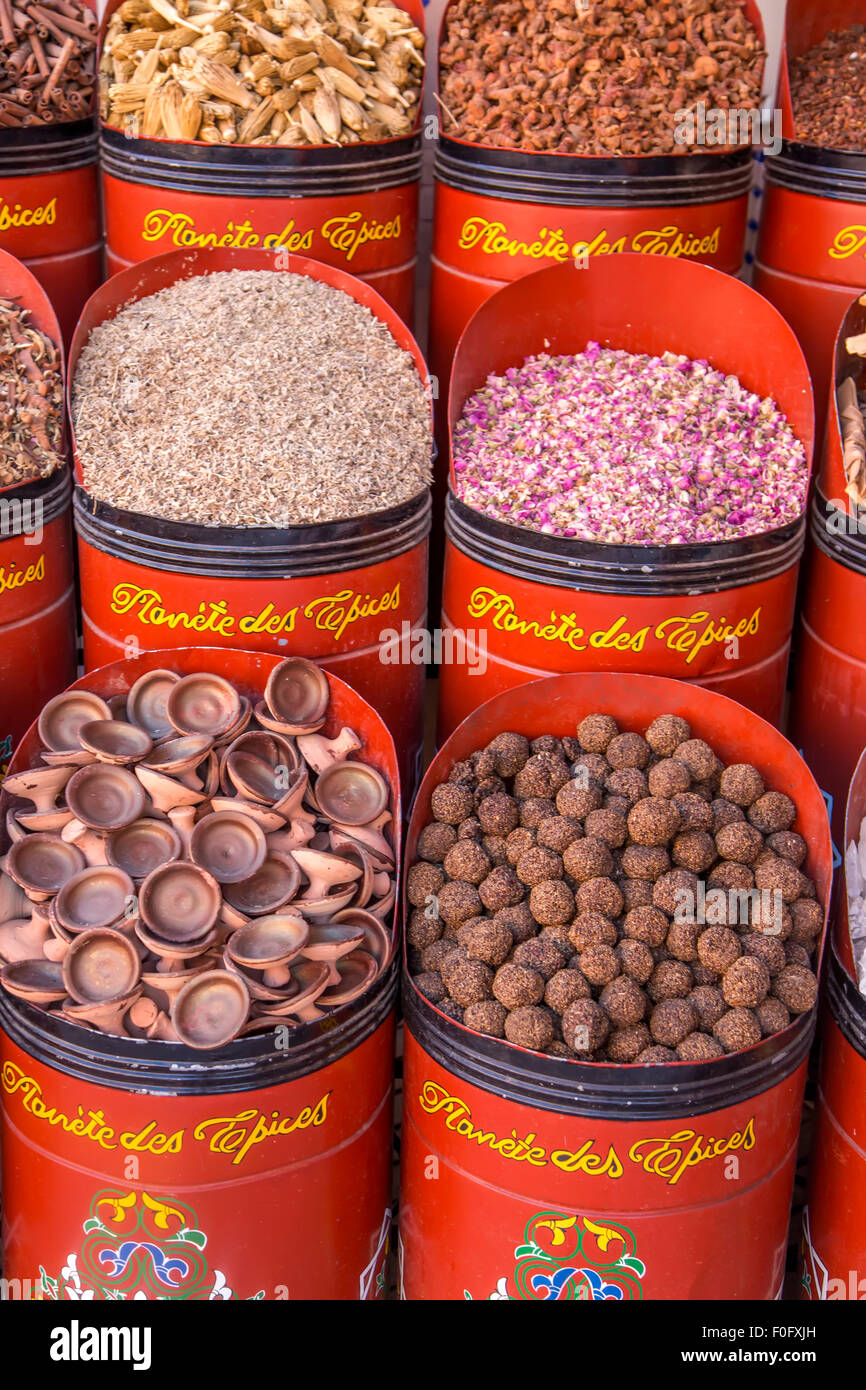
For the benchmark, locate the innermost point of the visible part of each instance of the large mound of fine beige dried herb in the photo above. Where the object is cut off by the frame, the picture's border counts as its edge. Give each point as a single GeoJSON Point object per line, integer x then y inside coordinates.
{"type": "Point", "coordinates": [251, 398]}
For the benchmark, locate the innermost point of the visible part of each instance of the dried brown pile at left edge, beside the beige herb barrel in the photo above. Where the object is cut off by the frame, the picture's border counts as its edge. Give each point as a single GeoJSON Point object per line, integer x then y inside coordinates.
{"type": "Point", "coordinates": [31, 400]}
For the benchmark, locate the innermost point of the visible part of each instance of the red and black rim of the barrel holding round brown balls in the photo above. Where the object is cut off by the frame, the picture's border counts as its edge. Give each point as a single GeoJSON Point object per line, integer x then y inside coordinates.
{"type": "Point", "coordinates": [635, 701]}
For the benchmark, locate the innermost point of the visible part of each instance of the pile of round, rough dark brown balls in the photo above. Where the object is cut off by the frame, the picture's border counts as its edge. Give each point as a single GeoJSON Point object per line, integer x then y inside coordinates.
{"type": "Point", "coordinates": [614, 897]}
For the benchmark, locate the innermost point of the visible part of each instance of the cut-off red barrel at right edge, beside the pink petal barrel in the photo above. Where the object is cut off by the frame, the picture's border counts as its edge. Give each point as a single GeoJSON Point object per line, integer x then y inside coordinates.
{"type": "Point", "coordinates": [829, 705]}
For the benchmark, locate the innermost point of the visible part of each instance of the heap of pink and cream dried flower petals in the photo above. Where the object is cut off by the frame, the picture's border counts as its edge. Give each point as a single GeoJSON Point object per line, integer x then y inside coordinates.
{"type": "Point", "coordinates": [629, 450]}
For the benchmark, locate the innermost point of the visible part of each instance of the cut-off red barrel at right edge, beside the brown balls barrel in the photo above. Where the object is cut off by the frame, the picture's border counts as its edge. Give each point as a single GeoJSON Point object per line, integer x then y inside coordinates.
{"type": "Point", "coordinates": [835, 1218]}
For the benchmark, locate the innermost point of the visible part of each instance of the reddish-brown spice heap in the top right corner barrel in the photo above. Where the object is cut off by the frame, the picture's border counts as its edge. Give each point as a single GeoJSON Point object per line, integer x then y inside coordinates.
{"type": "Point", "coordinates": [828, 92]}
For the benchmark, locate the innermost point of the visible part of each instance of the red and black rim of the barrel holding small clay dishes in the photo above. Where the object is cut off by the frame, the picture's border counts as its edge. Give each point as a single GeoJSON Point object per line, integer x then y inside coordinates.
{"type": "Point", "coordinates": [244, 1058]}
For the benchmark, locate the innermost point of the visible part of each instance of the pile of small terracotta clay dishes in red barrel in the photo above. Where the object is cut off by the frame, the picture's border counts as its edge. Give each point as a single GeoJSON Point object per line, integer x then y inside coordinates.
{"type": "Point", "coordinates": [193, 868]}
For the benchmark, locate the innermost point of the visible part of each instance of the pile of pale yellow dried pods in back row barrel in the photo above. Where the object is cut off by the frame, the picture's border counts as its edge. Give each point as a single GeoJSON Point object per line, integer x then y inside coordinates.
{"type": "Point", "coordinates": [294, 73]}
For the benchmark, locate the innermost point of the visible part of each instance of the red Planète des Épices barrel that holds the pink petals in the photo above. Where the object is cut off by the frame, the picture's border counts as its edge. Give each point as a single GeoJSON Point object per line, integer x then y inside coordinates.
{"type": "Point", "coordinates": [718, 615]}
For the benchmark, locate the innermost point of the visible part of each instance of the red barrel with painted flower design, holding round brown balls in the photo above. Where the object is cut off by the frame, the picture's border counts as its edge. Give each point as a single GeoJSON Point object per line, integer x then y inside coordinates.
{"type": "Point", "coordinates": [526, 1177]}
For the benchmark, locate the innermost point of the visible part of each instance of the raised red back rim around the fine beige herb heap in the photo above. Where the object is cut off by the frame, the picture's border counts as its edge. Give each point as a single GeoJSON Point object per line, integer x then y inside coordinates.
{"type": "Point", "coordinates": [161, 272]}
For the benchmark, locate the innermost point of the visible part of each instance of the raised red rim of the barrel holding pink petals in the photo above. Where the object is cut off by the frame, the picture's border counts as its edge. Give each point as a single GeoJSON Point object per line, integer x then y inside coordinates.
{"type": "Point", "coordinates": [644, 305]}
